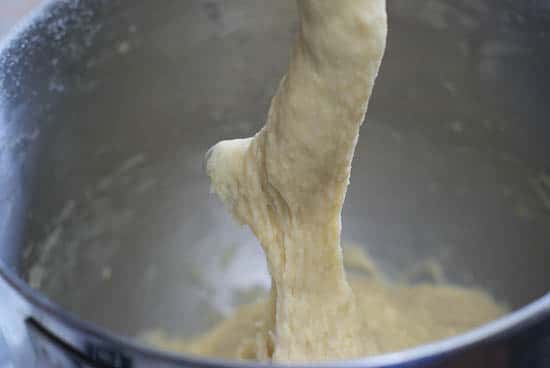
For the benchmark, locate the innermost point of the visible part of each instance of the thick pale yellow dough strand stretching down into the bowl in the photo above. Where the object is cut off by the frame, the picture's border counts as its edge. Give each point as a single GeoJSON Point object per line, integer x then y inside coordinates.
{"type": "Point", "coordinates": [288, 183]}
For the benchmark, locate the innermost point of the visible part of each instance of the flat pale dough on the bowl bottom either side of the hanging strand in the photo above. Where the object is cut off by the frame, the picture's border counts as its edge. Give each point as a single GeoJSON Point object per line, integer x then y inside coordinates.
{"type": "Point", "coordinates": [393, 317]}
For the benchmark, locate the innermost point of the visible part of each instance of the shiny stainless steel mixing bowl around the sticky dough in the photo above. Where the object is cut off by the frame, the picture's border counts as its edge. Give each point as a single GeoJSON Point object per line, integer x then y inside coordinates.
{"type": "Point", "coordinates": [106, 110]}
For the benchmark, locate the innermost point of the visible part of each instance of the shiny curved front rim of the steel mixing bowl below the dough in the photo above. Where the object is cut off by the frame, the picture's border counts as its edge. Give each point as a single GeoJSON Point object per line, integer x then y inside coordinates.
{"type": "Point", "coordinates": [521, 317]}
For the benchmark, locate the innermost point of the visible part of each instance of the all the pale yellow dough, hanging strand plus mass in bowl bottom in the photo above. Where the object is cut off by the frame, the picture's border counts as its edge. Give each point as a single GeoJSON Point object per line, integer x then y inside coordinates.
{"type": "Point", "coordinates": [288, 184]}
